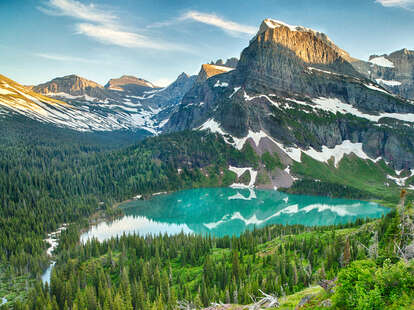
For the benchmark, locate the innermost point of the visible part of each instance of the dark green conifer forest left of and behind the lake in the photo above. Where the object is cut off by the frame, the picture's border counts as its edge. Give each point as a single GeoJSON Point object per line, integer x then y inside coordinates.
{"type": "Point", "coordinates": [55, 178]}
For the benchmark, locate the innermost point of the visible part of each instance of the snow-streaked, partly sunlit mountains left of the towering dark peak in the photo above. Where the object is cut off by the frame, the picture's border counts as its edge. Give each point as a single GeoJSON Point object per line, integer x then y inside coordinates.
{"type": "Point", "coordinates": [127, 103]}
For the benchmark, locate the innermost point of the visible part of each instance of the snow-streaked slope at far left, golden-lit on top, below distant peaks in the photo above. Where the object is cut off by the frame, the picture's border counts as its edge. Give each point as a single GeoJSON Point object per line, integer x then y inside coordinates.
{"type": "Point", "coordinates": [86, 114]}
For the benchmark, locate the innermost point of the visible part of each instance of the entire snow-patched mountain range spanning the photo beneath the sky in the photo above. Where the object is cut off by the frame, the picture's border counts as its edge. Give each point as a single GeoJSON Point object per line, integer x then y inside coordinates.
{"type": "Point", "coordinates": [292, 92]}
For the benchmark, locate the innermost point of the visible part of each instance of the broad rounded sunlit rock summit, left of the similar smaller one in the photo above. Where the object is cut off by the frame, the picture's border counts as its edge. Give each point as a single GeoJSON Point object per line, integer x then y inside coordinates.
{"type": "Point", "coordinates": [72, 85]}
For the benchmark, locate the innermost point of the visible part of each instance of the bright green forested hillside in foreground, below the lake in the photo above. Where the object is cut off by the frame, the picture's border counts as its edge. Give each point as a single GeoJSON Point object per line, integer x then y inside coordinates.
{"type": "Point", "coordinates": [358, 265]}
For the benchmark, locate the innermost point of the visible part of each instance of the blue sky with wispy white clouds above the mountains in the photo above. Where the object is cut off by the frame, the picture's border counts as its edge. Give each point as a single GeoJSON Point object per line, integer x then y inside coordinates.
{"type": "Point", "coordinates": [159, 39]}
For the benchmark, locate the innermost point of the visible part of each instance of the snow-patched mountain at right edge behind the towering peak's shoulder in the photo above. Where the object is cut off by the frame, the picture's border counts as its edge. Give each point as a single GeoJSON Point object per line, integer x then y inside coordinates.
{"type": "Point", "coordinates": [395, 72]}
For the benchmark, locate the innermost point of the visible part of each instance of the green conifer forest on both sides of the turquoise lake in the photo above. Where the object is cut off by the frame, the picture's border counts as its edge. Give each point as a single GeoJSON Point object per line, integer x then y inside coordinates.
{"type": "Point", "coordinates": [67, 177]}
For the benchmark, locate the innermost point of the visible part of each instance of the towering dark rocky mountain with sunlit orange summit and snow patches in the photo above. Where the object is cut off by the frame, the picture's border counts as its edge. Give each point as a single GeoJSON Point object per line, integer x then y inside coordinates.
{"type": "Point", "coordinates": [295, 86]}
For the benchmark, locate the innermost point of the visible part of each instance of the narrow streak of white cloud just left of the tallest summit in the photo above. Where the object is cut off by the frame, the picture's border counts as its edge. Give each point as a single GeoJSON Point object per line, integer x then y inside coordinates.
{"type": "Point", "coordinates": [214, 20]}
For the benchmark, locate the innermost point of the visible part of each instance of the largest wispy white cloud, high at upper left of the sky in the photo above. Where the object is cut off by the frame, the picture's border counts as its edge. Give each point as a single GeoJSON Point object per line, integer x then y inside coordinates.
{"type": "Point", "coordinates": [103, 25]}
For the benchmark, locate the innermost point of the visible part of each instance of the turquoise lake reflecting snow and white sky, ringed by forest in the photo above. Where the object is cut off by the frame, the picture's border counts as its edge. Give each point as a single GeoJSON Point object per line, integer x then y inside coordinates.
{"type": "Point", "coordinates": [228, 211]}
